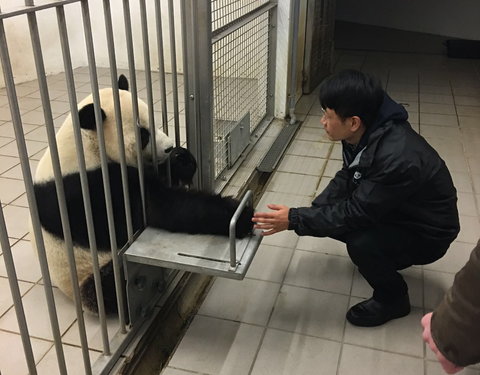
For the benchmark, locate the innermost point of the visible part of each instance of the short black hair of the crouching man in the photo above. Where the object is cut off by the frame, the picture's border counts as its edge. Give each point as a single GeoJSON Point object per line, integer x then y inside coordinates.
{"type": "Point", "coordinates": [352, 93]}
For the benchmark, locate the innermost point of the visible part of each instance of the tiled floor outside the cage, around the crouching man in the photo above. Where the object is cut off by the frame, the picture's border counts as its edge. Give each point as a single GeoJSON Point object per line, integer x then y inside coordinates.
{"type": "Point", "coordinates": [288, 315]}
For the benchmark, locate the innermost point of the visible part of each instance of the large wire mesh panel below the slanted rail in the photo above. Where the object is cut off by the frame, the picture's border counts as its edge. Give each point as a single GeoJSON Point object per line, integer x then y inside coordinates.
{"type": "Point", "coordinates": [240, 74]}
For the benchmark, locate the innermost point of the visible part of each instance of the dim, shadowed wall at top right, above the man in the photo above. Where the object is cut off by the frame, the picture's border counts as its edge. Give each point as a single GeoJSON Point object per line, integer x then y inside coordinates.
{"type": "Point", "coordinates": [453, 18]}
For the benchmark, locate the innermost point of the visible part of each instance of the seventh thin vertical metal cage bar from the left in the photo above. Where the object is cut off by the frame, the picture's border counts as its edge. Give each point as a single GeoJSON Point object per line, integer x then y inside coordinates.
{"type": "Point", "coordinates": [148, 79]}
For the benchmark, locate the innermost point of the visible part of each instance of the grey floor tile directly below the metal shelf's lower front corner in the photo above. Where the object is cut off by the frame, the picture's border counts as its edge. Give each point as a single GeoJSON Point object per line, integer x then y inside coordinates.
{"type": "Point", "coordinates": [246, 301]}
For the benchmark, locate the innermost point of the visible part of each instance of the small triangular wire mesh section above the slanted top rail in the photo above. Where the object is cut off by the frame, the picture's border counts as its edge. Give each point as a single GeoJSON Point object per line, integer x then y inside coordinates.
{"type": "Point", "coordinates": [226, 11]}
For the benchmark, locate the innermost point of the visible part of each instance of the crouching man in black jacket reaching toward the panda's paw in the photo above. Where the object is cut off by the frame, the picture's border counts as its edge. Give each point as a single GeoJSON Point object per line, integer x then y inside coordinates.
{"type": "Point", "coordinates": [393, 203]}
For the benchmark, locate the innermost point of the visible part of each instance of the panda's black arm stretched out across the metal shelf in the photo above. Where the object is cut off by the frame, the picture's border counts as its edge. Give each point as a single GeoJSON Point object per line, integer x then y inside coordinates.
{"type": "Point", "coordinates": [195, 212]}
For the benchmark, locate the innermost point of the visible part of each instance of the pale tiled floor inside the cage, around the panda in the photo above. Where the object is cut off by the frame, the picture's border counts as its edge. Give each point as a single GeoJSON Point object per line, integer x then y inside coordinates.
{"type": "Point", "coordinates": [15, 209]}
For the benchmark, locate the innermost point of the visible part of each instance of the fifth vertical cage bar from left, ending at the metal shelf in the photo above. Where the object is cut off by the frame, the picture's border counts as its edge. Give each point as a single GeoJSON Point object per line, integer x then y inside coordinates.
{"type": "Point", "coordinates": [118, 116]}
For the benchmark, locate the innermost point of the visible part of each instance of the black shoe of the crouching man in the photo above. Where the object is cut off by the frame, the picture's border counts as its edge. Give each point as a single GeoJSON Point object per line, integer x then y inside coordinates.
{"type": "Point", "coordinates": [372, 313]}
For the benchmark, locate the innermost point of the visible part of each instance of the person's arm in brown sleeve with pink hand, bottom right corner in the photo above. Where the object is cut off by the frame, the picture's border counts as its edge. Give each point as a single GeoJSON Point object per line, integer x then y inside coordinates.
{"type": "Point", "coordinates": [453, 330]}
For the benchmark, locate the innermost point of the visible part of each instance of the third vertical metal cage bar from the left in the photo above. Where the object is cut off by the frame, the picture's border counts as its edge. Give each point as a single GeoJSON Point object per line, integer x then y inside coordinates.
{"type": "Point", "coordinates": [83, 177]}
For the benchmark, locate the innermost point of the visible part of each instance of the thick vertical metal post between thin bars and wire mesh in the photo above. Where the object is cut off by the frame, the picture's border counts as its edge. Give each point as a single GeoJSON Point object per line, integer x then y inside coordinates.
{"type": "Point", "coordinates": [200, 78]}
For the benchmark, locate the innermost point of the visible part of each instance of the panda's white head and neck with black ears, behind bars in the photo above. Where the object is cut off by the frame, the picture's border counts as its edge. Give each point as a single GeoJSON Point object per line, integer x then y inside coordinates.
{"type": "Point", "coordinates": [88, 124]}
